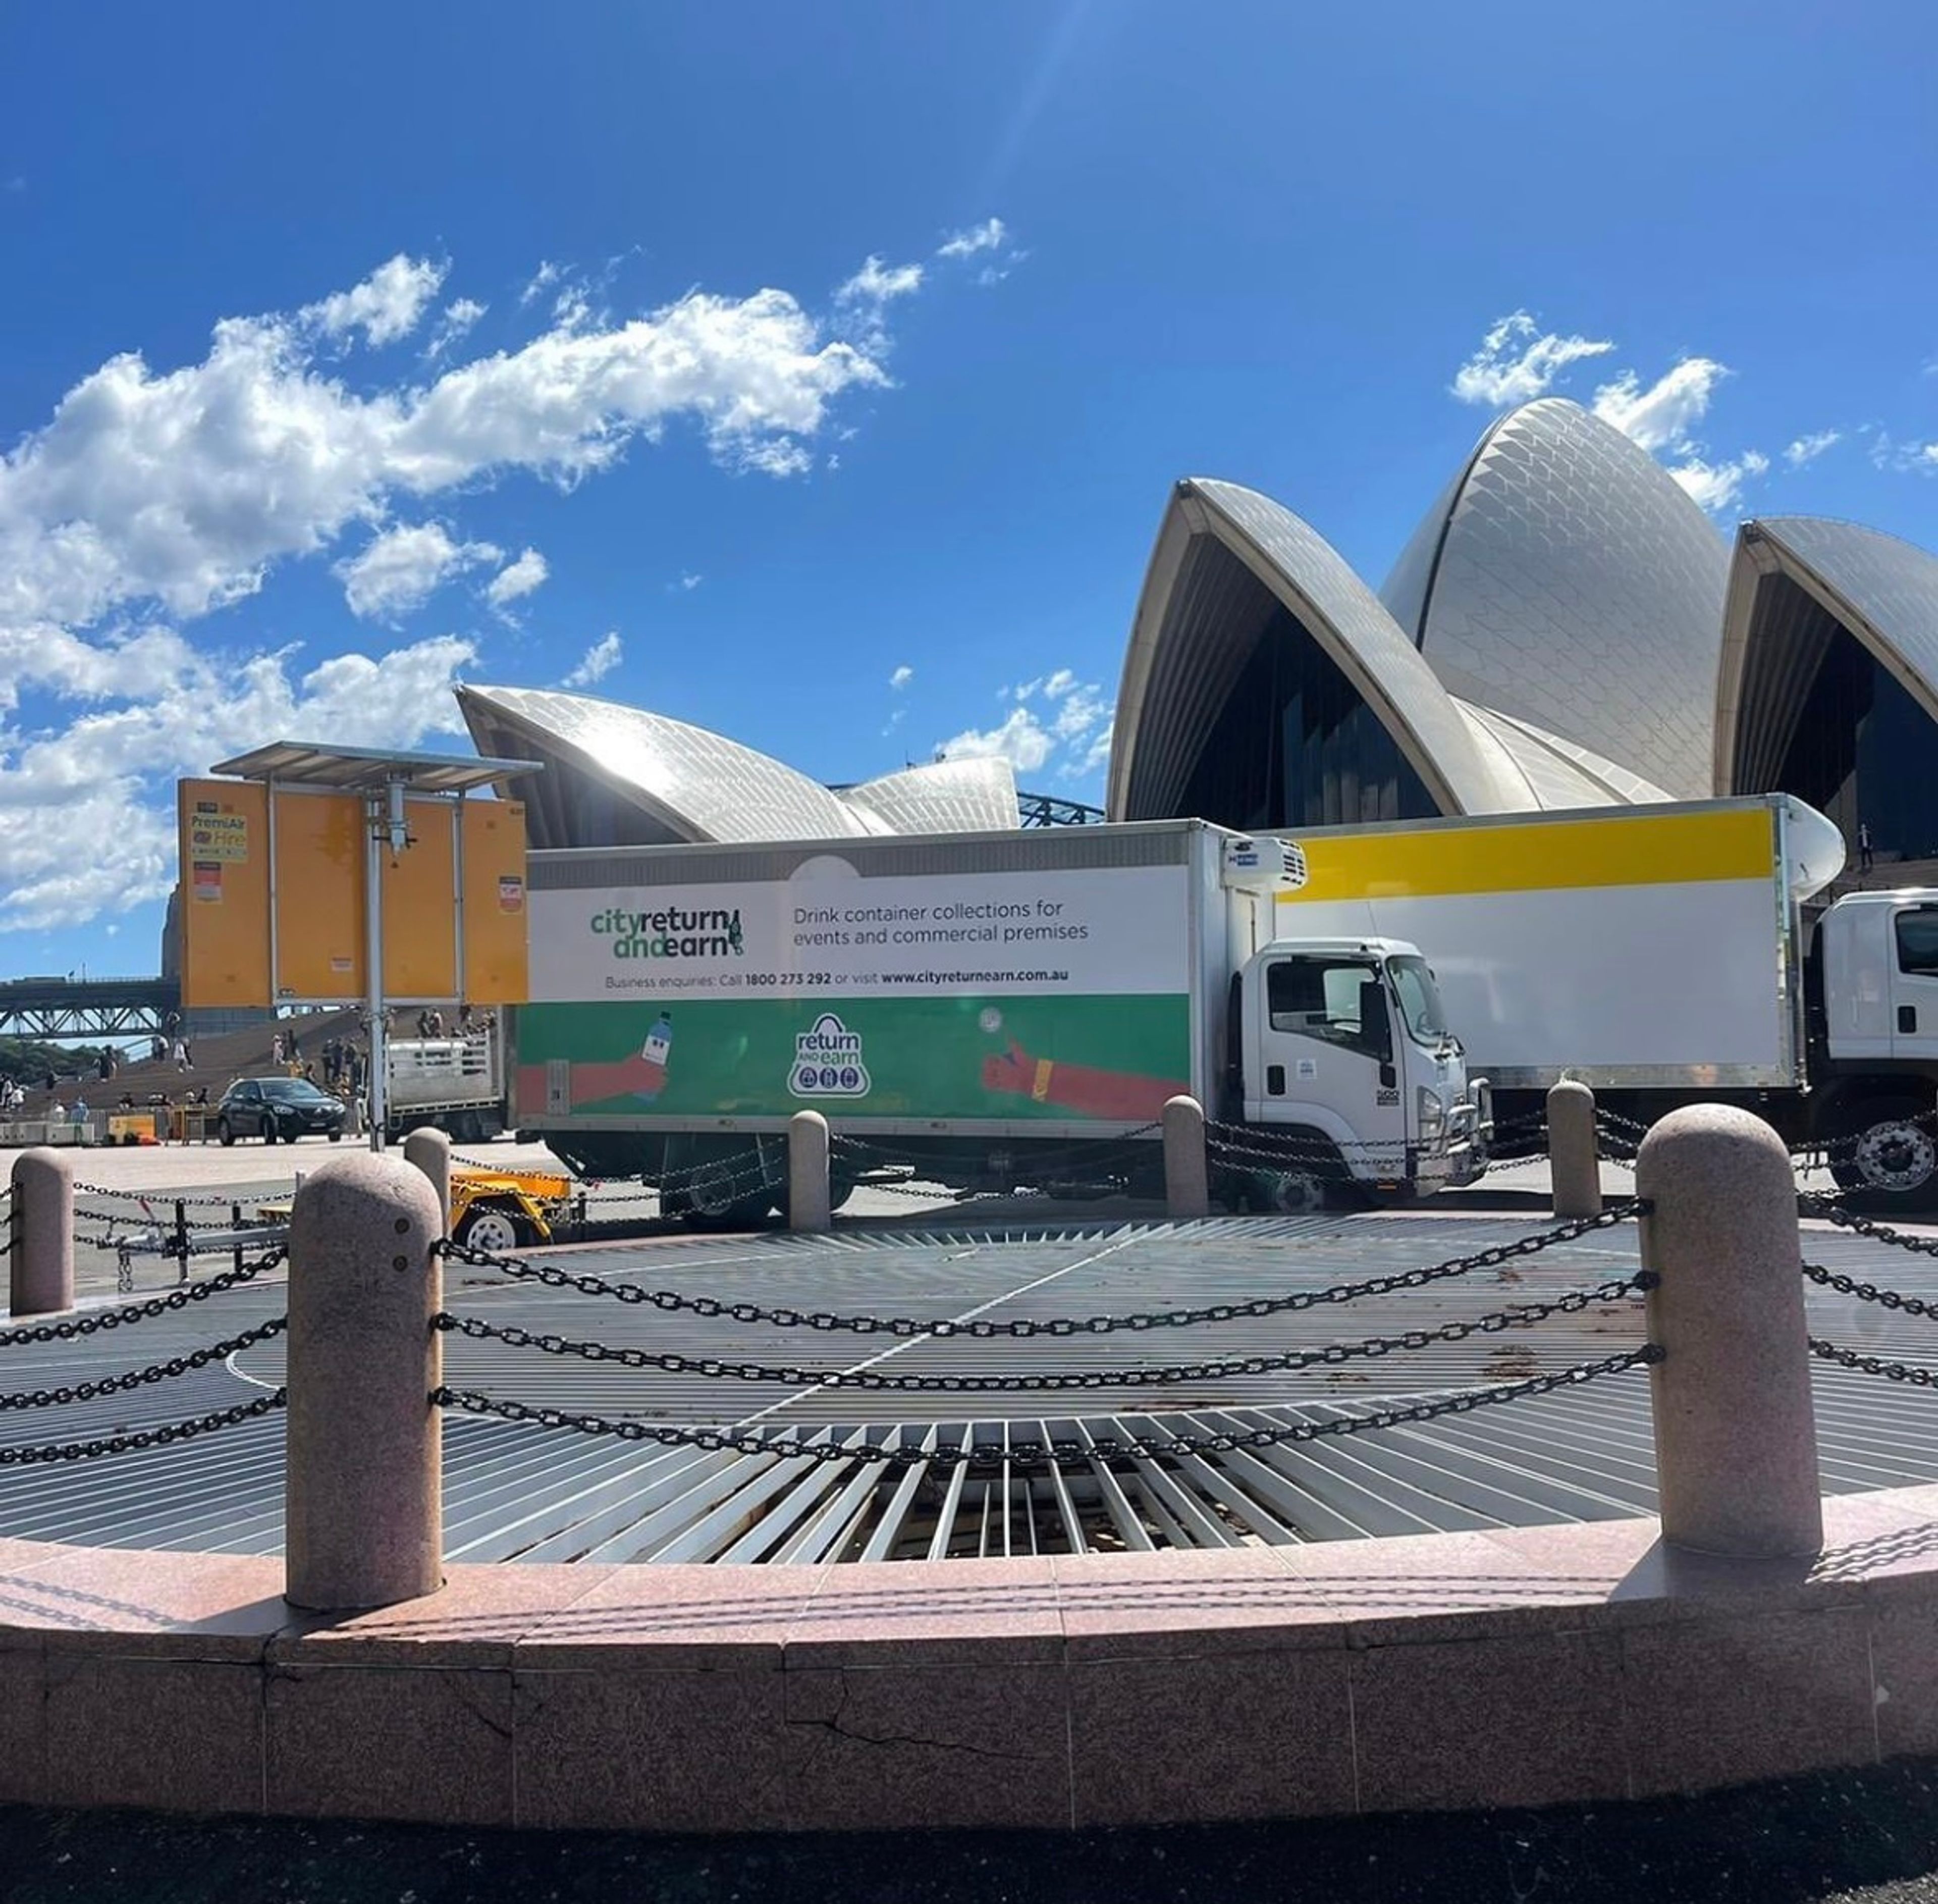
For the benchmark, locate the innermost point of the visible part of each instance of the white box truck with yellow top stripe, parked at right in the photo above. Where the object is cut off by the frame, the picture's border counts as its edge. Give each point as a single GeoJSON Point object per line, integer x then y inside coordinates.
{"type": "Point", "coordinates": [1664, 957]}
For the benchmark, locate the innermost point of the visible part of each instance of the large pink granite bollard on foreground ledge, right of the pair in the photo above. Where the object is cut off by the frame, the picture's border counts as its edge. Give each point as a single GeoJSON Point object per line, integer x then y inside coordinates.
{"type": "Point", "coordinates": [1735, 1432]}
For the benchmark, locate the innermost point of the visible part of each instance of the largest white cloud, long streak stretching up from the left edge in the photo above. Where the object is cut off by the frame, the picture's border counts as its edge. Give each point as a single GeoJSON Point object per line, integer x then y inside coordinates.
{"type": "Point", "coordinates": [189, 486]}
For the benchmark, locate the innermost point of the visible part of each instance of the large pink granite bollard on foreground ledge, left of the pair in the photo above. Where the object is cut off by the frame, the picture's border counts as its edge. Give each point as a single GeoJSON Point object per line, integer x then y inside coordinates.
{"type": "Point", "coordinates": [365, 1442]}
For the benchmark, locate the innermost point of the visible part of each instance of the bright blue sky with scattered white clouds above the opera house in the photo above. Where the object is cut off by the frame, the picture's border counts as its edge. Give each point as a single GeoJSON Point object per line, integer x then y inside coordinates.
{"type": "Point", "coordinates": [821, 375]}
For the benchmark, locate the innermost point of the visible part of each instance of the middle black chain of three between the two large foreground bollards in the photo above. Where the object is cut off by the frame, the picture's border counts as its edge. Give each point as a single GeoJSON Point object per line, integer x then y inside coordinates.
{"type": "Point", "coordinates": [1522, 1316]}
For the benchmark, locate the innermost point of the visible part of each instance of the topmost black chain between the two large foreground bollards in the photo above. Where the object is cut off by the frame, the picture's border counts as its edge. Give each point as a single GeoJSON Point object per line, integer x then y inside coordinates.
{"type": "Point", "coordinates": [1022, 1327]}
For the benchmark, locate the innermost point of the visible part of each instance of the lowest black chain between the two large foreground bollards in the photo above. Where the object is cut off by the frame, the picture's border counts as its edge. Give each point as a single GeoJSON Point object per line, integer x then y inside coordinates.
{"type": "Point", "coordinates": [1061, 1449]}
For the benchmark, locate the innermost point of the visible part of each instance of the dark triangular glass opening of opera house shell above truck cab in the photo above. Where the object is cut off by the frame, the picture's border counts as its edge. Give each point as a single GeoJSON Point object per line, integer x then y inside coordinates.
{"type": "Point", "coordinates": [1297, 747]}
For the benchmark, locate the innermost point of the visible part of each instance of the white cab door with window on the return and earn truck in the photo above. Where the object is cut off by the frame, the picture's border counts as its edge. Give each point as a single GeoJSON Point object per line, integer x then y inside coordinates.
{"type": "Point", "coordinates": [1328, 1058]}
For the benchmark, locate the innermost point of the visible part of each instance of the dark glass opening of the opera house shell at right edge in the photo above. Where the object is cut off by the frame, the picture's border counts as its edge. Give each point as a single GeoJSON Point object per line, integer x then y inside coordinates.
{"type": "Point", "coordinates": [1867, 753]}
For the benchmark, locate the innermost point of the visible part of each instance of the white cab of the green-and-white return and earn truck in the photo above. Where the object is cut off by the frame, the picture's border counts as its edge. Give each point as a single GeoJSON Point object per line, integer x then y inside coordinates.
{"type": "Point", "coordinates": [1340, 1054]}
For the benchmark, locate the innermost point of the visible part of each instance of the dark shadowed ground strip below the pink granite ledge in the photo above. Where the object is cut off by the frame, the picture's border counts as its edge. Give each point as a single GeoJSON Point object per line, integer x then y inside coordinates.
{"type": "Point", "coordinates": [1856, 1839]}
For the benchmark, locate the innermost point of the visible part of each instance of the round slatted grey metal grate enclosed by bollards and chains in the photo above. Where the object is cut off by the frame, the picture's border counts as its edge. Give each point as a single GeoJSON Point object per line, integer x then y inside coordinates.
{"type": "Point", "coordinates": [532, 1494]}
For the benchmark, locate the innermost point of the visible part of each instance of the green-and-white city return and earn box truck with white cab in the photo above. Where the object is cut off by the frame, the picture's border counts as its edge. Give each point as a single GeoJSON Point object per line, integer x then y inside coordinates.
{"type": "Point", "coordinates": [991, 1011]}
